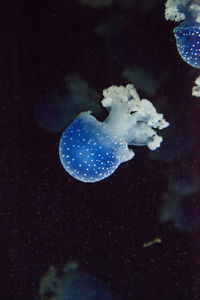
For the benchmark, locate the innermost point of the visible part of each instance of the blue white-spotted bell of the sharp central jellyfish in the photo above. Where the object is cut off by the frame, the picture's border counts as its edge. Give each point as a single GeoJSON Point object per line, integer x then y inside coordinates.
{"type": "Point", "coordinates": [88, 150]}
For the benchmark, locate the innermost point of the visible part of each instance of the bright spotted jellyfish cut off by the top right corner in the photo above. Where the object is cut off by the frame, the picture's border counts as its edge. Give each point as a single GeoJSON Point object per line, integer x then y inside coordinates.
{"type": "Point", "coordinates": [187, 34]}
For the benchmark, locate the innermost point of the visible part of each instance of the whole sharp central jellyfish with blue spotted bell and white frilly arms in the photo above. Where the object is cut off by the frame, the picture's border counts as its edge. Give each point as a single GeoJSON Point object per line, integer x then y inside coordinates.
{"type": "Point", "coordinates": [91, 150]}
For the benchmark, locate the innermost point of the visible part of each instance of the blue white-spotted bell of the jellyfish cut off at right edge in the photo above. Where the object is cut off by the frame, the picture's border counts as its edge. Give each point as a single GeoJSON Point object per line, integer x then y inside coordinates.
{"type": "Point", "coordinates": [188, 43]}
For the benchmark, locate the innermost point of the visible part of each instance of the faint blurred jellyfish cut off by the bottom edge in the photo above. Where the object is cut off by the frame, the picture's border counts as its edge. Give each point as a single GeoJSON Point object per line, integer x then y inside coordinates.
{"type": "Point", "coordinates": [73, 285]}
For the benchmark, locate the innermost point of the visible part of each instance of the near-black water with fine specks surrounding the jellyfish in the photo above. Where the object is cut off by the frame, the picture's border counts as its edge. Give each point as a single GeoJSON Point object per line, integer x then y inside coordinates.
{"type": "Point", "coordinates": [49, 218]}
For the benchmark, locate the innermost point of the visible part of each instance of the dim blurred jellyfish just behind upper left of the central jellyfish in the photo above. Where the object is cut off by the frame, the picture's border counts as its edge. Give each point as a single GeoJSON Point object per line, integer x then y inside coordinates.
{"type": "Point", "coordinates": [54, 109]}
